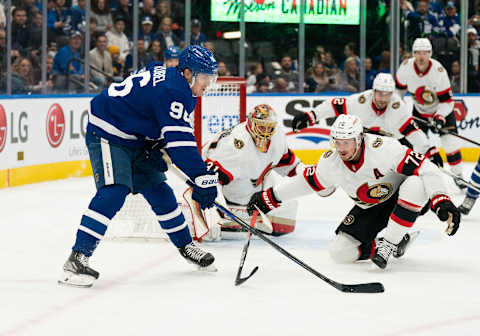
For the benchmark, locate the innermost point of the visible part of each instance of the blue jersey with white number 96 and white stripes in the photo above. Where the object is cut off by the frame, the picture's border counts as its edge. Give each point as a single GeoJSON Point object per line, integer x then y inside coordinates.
{"type": "Point", "coordinates": [153, 103]}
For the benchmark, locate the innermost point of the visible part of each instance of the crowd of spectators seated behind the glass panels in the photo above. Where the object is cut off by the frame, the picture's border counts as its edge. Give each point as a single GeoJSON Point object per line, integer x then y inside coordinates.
{"type": "Point", "coordinates": [161, 37]}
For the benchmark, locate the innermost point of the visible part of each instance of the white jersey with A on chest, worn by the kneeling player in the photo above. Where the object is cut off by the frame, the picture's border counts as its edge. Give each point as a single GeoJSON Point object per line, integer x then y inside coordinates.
{"type": "Point", "coordinates": [383, 166]}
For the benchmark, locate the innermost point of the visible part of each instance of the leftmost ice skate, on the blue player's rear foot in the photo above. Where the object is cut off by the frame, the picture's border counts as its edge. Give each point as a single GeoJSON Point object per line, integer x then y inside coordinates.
{"type": "Point", "coordinates": [77, 273]}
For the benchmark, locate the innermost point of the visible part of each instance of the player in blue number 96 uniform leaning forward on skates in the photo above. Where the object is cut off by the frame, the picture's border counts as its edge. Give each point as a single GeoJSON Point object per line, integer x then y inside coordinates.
{"type": "Point", "coordinates": [130, 125]}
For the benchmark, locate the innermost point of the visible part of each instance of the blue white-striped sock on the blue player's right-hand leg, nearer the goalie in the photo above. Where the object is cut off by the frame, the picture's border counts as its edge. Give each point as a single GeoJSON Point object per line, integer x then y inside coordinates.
{"type": "Point", "coordinates": [169, 215]}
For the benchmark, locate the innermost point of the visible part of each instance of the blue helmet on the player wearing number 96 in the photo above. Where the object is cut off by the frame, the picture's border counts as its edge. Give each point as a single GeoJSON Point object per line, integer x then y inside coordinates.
{"type": "Point", "coordinates": [199, 60]}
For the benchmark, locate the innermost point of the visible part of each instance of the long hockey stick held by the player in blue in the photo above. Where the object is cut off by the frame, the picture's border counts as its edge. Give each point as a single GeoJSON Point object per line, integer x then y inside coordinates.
{"type": "Point", "coordinates": [371, 287]}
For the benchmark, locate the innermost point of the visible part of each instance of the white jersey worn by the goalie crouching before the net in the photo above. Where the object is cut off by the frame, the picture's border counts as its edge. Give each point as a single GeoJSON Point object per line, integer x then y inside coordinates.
{"type": "Point", "coordinates": [241, 166]}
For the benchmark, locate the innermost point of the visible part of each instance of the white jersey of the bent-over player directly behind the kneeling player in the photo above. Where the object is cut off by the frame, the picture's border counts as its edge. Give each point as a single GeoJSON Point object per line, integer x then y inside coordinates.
{"type": "Point", "coordinates": [394, 119]}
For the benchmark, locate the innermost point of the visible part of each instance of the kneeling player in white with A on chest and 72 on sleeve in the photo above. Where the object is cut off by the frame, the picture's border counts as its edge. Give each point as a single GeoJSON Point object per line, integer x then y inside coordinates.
{"type": "Point", "coordinates": [389, 183]}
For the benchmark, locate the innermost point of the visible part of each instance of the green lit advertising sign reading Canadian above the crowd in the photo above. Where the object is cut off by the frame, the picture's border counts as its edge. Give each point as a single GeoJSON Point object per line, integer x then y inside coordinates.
{"type": "Point", "coordinates": [288, 11]}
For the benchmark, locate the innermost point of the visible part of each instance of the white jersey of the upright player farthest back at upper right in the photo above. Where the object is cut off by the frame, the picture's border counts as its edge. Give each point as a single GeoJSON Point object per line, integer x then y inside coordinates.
{"type": "Point", "coordinates": [430, 90]}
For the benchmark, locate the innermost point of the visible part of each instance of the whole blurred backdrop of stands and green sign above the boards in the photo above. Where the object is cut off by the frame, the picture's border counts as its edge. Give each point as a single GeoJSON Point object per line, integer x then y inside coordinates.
{"type": "Point", "coordinates": [79, 46]}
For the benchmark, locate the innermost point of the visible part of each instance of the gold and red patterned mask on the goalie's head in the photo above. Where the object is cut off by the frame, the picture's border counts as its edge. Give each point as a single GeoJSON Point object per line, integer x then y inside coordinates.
{"type": "Point", "coordinates": [261, 124]}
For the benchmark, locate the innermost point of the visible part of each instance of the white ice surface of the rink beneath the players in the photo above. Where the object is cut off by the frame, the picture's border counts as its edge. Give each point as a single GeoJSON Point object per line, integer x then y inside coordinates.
{"type": "Point", "coordinates": [148, 289]}
